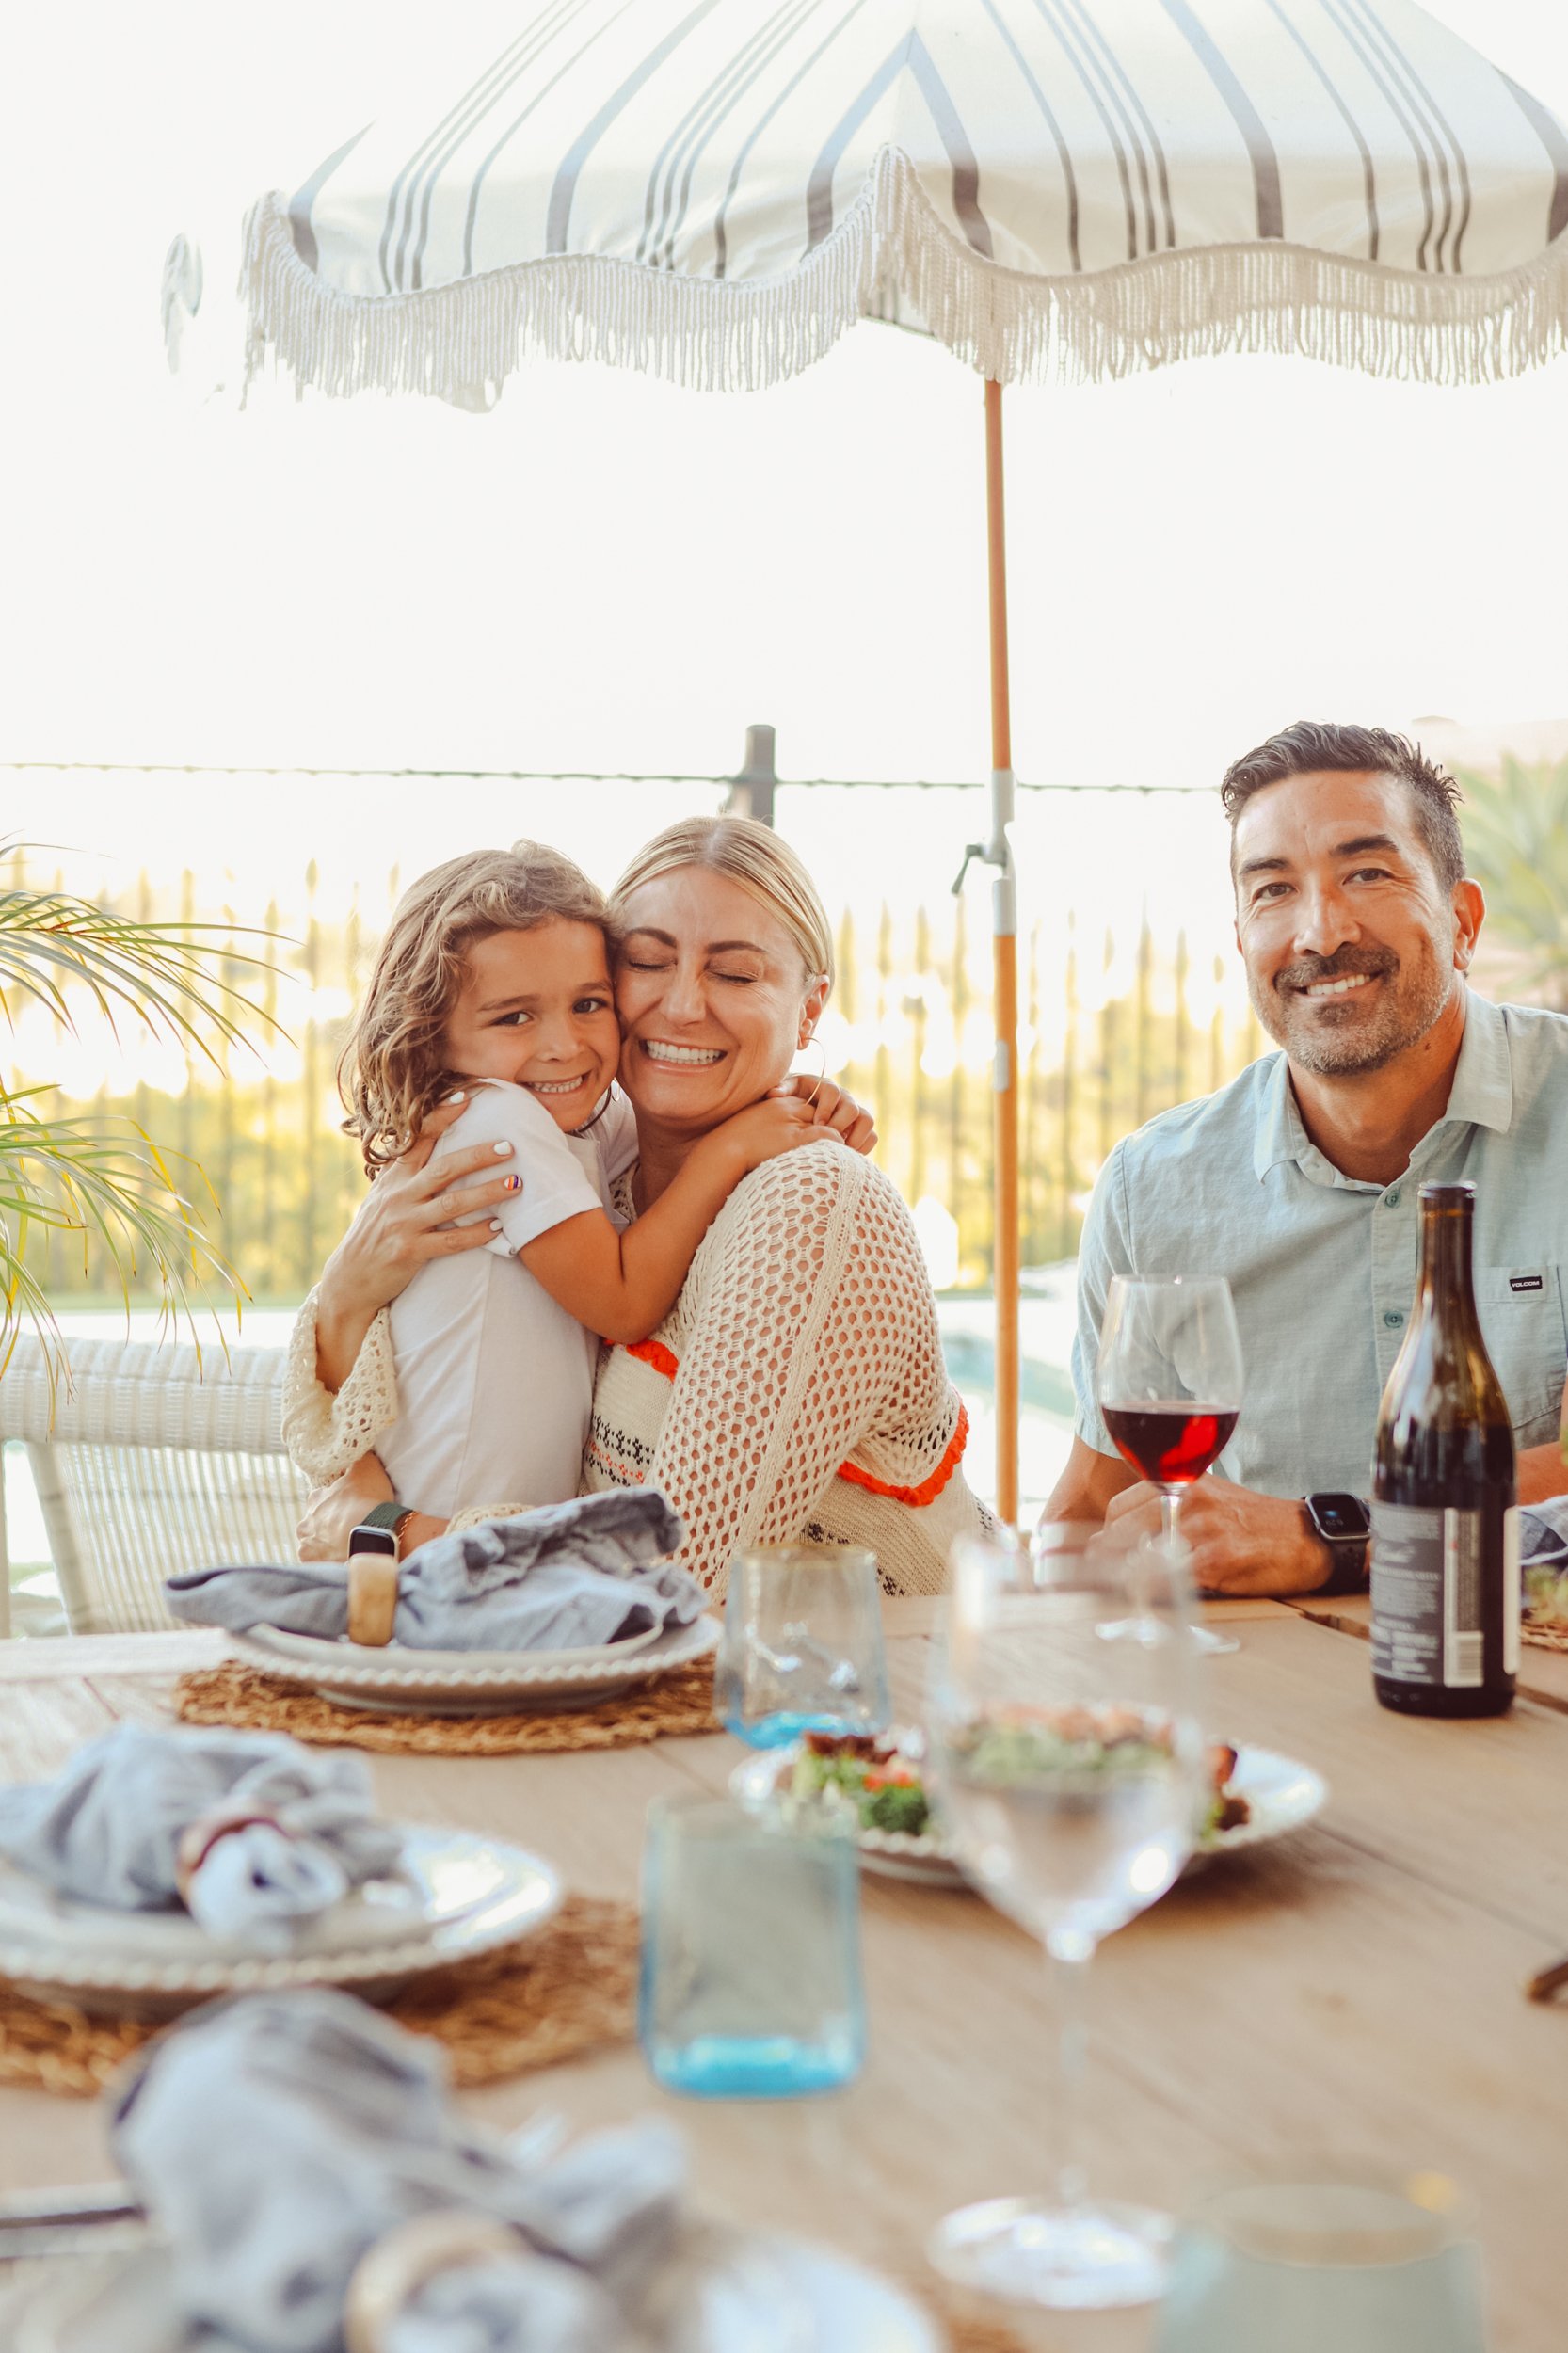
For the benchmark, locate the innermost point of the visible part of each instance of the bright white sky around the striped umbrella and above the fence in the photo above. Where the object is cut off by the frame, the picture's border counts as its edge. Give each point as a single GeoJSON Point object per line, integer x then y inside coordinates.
{"type": "Point", "coordinates": [611, 573]}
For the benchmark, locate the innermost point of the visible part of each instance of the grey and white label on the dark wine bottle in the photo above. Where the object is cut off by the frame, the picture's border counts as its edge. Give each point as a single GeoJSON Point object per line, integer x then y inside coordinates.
{"type": "Point", "coordinates": [1428, 1594]}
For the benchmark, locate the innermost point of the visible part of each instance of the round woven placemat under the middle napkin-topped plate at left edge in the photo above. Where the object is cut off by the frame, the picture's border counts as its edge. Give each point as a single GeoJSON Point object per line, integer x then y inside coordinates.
{"type": "Point", "coordinates": [531, 2006]}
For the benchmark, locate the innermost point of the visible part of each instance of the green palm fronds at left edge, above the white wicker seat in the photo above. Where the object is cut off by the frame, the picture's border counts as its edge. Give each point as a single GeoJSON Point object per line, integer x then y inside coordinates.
{"type": "Point", "coordinates": [105, 1182]}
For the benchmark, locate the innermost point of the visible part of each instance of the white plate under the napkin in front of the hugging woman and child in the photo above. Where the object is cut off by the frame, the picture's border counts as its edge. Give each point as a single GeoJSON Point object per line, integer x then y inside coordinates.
{"type": "Point", "coordinates": [472, 1681]}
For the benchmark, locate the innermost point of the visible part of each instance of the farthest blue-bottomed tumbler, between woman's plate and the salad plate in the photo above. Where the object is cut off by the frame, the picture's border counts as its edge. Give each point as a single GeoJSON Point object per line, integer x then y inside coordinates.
{"type": "Point", "coordinates": [802, 1646]}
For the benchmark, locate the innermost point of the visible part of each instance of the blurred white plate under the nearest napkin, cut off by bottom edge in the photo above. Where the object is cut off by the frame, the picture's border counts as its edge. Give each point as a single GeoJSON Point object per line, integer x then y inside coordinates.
{"type": "Point", "coordinates": [816, 2302]}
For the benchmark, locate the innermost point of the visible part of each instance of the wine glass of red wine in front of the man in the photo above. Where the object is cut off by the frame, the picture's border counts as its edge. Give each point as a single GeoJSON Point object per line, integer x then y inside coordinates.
{"type": "Point", "coordinates": [1169, 1385]}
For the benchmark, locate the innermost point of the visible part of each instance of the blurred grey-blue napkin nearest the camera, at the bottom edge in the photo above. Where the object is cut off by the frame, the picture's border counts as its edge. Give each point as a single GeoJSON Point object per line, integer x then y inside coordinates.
{"type": "Point", "coordinates": [279, 2138]}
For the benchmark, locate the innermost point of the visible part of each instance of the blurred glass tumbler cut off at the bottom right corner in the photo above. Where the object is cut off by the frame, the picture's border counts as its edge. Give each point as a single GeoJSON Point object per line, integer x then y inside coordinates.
{"type": "Point", "coordinates": [1298, 2262]}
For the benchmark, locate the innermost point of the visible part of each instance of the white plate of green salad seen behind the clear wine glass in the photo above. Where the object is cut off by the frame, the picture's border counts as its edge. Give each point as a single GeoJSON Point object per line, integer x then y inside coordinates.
{"type": "Point", "coordinates": [1256, 1797]}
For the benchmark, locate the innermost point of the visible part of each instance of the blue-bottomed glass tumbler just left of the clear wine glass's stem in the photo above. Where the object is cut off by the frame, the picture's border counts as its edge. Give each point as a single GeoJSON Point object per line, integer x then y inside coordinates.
{"type": "Point", "coordinates": [750, 1978]}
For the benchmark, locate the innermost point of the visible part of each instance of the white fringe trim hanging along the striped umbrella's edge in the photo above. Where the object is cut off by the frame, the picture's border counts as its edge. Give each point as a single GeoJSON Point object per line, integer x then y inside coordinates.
{"type": "Point", "coordinates": [893, 253]}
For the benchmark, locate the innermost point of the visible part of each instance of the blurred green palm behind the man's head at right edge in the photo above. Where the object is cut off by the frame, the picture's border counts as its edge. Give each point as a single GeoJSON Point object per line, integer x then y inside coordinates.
{"type": "Point", "coordinates": [1517, 848]}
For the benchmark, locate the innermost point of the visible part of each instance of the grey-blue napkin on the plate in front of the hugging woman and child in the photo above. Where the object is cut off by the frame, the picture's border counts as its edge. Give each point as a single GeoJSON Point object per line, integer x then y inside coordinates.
{"type": "Point", "coordinates": [564, 1578]}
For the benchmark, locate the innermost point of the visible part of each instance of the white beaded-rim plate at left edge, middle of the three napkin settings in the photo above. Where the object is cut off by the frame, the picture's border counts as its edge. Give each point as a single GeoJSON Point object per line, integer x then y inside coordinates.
{"type": "Point", "coordinates": [453, 1895]}
